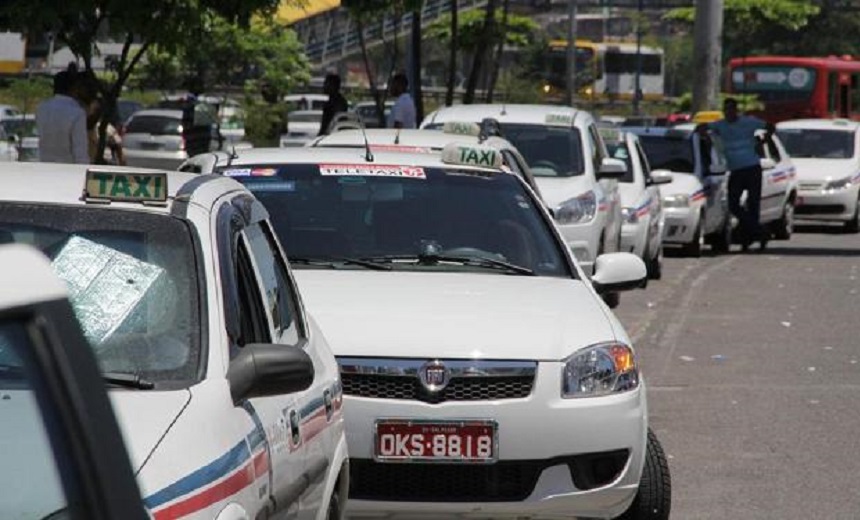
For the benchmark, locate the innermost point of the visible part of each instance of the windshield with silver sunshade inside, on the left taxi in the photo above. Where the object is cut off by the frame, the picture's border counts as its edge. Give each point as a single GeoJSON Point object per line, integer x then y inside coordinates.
{"type": "Point", "coordinates": [131, 280]}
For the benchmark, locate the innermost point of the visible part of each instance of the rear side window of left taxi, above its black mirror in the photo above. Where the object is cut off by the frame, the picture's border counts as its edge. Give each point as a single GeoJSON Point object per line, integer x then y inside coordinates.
{"type": "Point", "coordinates": [279, 298]}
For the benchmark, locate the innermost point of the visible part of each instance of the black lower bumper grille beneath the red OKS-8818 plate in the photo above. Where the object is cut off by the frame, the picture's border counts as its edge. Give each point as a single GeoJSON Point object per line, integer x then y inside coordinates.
{"type": "Point", "coordinates": [507, 481]}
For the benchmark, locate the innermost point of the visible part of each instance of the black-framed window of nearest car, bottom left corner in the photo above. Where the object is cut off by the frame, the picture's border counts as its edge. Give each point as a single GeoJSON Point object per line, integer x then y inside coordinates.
{"type": "Point", "coordinates": [31, 479]}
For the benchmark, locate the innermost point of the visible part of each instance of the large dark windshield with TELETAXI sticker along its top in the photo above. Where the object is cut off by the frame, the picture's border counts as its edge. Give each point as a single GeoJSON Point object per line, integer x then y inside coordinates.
{"type": "Point", "coordinates": [341, 211]}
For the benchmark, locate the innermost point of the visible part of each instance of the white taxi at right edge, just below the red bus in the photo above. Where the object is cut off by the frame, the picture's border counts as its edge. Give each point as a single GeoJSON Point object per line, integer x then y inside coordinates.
{"type": "Point", "coordinates": [826, 153]}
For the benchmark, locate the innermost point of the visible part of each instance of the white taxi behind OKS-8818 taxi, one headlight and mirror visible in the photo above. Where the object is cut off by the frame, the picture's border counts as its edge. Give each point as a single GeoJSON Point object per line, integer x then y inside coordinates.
{"type": "Point", "coordinates": [567, 156]}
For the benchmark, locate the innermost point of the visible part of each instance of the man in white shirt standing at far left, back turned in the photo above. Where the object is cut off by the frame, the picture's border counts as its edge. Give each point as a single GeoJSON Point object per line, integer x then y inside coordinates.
{"type": "Point", "coordinates": [62, 122]}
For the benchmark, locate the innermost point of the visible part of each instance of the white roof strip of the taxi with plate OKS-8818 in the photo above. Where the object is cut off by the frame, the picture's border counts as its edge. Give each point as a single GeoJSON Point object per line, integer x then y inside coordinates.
{"type": "Point", "coordinates": [322, 155]}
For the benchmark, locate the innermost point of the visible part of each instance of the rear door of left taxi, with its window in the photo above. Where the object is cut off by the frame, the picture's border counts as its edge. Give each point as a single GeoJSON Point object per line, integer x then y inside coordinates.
{"type": "Point", "coordinates": [312, 411]}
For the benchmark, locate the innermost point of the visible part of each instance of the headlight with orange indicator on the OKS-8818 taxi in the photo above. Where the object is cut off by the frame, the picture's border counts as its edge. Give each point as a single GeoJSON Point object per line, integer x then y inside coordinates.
{"type": "Point", "coordinates": [603, 369]}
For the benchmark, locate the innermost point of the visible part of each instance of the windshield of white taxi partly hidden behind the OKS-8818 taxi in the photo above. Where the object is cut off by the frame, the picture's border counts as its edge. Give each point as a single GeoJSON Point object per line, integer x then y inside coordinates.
{"type": "Point", "coordinates": [549, 151]}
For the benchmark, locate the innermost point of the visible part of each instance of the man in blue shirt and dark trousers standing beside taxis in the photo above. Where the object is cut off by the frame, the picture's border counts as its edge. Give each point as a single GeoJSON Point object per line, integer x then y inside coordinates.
{"type": "Point", "coordinates": [738, 134]}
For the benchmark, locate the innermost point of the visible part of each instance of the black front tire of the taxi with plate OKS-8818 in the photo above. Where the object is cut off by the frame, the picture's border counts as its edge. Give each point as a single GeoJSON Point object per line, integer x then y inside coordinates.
{"type": "Point", "coordinates": [654, 498]}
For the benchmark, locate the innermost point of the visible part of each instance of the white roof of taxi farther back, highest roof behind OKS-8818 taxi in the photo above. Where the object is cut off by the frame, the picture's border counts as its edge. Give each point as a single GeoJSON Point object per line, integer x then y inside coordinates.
{"type": "Point", "coordinates": [524, 114]}
